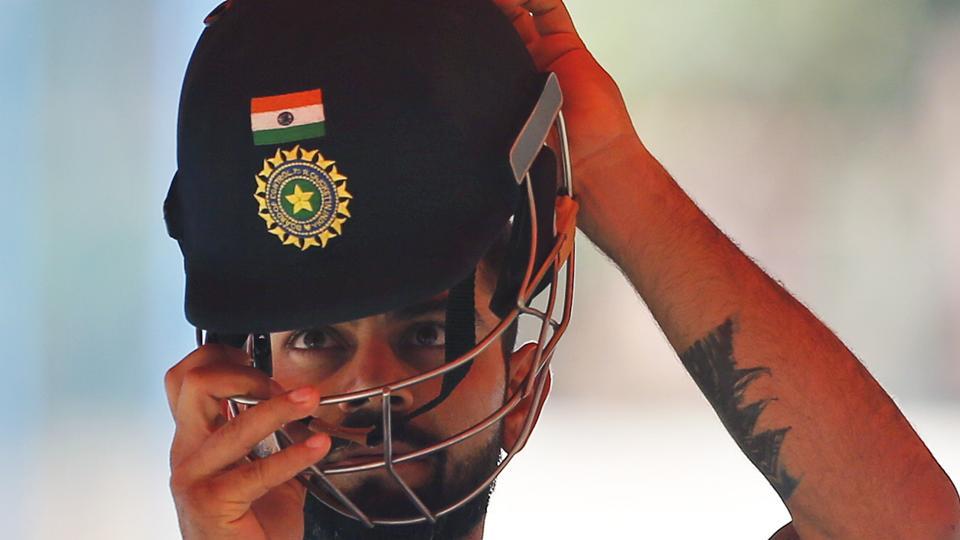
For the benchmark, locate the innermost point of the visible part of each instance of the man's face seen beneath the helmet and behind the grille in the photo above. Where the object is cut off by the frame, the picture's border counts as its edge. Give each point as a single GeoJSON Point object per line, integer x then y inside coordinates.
{"type": "Point", "coordinates": [377, 350]}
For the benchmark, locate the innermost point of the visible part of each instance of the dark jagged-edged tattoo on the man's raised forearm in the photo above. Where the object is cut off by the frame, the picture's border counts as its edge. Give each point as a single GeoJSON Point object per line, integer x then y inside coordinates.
{"type": "Point", "coordinates": [711, 364]}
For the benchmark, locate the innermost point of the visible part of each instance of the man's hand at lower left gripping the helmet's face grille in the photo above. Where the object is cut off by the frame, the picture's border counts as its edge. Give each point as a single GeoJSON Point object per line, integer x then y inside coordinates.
{"type": "Point", "coordinates": [217, 491]}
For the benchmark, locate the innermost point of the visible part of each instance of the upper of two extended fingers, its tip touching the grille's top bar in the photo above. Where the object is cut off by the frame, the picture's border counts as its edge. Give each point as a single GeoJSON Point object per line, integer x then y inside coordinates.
{"type": "Point", "coordinates": [236, 438]}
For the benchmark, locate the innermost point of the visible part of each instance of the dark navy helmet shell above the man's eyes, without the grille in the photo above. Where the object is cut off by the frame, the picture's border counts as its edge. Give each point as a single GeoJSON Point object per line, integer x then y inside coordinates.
{"type": "Point", "coordinates": [421, 101]}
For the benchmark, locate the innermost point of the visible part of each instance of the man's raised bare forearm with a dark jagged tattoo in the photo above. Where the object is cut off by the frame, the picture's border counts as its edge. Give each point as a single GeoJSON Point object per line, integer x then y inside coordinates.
{"type": "Point", "coordinates": [804, 410]}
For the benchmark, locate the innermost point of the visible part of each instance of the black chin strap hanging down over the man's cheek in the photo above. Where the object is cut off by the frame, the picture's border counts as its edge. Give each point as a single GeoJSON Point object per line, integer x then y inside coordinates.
{"type": "Point", "coordinates": [460, 338]}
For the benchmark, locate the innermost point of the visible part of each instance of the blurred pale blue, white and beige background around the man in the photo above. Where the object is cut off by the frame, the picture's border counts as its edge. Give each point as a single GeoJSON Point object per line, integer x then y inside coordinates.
{"type": "Point", "coordinates": [820, 135]}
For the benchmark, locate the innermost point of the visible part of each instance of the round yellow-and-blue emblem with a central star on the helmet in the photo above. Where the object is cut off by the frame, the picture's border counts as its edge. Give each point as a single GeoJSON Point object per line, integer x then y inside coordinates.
{"type": "Point", "coordinates": [302, 197]}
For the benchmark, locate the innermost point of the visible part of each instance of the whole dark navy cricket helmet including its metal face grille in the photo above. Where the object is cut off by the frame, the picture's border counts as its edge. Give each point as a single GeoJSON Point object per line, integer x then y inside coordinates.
{"type": "Point", "coordinates": [340, 159]}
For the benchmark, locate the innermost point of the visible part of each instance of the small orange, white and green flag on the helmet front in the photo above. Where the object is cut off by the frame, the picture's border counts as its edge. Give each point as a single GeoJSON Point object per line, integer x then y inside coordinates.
{"type": "Point", "coordinates": [287, 117]}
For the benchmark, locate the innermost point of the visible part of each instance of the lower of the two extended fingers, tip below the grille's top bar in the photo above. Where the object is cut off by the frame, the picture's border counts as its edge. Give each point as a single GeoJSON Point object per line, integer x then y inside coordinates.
{"type": "Point", "coordinates": [253, 480]}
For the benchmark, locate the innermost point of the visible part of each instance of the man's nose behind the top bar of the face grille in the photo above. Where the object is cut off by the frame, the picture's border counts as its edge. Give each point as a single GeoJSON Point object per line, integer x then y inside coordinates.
{"type": "Point", "coordinates": [376, 366]}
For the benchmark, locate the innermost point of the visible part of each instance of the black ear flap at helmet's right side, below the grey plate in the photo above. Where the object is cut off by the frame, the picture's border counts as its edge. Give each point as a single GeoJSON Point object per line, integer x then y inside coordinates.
{"type": "Point", "coordinates": [545, 183]}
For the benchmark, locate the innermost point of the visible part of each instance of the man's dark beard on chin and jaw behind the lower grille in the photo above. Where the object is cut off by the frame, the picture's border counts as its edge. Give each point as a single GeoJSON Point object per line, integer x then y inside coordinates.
{"type": "Point", "coordinates": [323, 523]}
